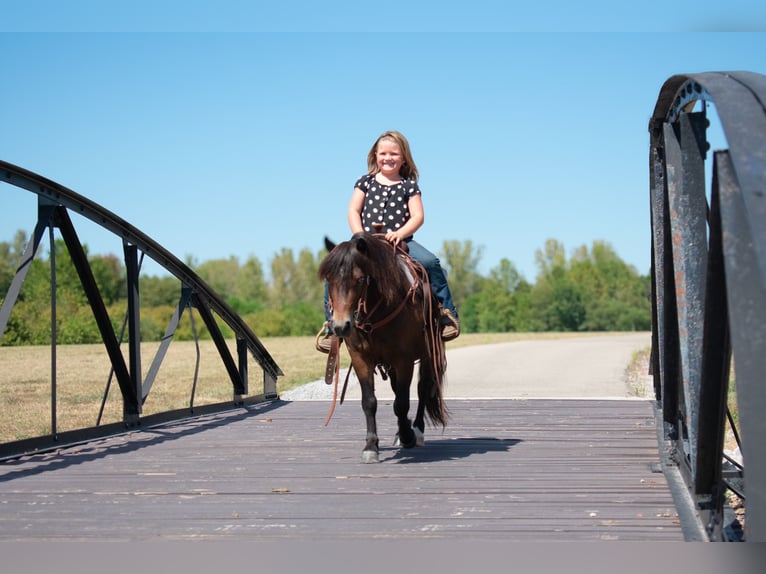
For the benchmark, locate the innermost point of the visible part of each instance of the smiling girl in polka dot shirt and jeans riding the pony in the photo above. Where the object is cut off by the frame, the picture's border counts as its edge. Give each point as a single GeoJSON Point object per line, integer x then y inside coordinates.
{"type": "Point", "coordinates": [389, 194]}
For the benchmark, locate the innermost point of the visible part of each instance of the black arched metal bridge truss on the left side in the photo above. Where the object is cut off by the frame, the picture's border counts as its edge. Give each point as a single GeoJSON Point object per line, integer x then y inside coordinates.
{"type": "Point", "coordinates": [55, 202]}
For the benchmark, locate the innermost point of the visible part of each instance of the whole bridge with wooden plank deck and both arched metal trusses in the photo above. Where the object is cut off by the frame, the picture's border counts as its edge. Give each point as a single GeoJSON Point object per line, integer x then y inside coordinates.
{"type": "Point", "coordinates": [530, 469]}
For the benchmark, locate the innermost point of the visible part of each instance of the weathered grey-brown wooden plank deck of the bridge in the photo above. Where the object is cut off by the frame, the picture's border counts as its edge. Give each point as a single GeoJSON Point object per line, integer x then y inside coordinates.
{"type": "Point", "coordinates": [502, 469]}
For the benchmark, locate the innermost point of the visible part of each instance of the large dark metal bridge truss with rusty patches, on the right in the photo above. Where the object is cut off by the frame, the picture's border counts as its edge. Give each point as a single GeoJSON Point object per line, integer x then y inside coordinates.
{"type": "Point", "coordinates": [709, 290]}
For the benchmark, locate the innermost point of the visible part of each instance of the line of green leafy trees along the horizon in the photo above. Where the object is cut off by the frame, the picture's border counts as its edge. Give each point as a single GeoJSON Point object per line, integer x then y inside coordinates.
{"type": "Point", "coordinates": [591, 290]}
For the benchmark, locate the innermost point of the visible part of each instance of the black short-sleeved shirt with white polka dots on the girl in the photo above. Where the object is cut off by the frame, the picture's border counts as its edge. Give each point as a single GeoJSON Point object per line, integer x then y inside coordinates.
{"type": "Point", "coordinates": [386, 204]}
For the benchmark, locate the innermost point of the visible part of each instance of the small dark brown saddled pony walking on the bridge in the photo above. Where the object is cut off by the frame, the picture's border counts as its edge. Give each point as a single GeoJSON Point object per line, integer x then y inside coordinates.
{"type": "Point", "coordinates": [383, 309]}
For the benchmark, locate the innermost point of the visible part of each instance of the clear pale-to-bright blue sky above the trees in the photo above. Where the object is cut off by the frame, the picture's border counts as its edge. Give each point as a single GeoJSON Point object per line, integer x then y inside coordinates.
{"type": "Point", "coordinates": [227, 128]}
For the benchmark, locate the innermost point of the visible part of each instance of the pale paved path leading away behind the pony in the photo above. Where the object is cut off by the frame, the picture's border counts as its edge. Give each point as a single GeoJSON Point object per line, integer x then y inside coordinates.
{"type": "Point", "coordinates": [582, 367]}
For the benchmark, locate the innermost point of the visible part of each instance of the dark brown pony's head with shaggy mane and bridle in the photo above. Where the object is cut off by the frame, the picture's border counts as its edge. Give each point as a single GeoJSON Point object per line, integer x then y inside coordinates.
{"type": "Point", "coordinates": [366, 269]}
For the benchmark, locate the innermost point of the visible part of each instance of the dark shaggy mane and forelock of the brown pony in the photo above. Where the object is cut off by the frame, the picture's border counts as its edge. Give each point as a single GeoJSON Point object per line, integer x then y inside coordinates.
{"type": "Point", "coordinates": [375, 257]}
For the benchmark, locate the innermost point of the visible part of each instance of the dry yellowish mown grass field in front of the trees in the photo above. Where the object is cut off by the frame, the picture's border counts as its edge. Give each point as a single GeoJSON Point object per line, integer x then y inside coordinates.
{"type": "Point", "coordinates": [83, 376]}
